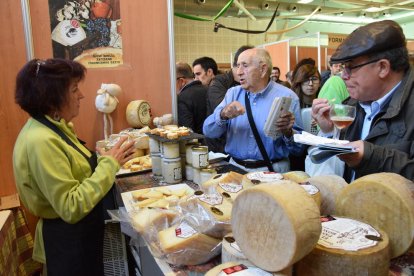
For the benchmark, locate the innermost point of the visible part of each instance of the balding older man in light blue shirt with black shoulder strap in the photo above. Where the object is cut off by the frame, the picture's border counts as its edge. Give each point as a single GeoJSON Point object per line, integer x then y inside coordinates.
{"type": "Point", "coordinates": [254, 68]}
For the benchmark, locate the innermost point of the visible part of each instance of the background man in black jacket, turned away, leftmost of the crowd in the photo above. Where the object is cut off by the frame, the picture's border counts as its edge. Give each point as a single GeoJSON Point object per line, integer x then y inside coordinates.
{"type": "Point", "coordinates": [191, 100]}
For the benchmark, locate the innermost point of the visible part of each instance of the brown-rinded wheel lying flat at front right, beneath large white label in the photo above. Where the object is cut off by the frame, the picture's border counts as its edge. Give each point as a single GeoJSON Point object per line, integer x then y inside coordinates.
{"type": "Point", "coordinates": [323, 261]}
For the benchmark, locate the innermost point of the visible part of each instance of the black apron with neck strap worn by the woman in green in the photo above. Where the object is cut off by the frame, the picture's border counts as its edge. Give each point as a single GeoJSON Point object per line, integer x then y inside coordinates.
{"type": "Point", "coordinates": [74, 249]}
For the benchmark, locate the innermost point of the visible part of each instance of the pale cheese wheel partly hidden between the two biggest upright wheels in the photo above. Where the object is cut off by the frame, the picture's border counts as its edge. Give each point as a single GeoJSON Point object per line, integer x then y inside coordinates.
{"type": "Point", "coordinates": [329, 186]}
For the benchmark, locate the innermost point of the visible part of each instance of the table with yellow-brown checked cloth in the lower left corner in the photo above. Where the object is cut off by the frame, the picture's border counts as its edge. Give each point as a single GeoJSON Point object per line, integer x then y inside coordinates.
{"type": "Point", "coordinates": [16, 245]}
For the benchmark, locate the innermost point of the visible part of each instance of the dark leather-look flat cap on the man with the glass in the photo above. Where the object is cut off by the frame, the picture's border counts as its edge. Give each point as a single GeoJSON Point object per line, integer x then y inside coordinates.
{"type": "Point", "coordinates": [372, 38]}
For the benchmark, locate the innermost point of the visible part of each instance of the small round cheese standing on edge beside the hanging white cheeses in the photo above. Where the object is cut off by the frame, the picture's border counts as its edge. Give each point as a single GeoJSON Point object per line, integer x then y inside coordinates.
{"type": "Point", "coordinates": [138, 113]}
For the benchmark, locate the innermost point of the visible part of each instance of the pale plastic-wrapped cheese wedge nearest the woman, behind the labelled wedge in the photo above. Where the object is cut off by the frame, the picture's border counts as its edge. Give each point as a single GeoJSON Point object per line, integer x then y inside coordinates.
{"type": "Point", "coordinates": [145, 218]}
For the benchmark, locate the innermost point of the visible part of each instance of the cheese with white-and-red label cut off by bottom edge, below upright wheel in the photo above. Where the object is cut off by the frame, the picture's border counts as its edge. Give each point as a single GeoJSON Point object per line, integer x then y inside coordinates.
{"type": "Point", "coordinates": [244, 268]}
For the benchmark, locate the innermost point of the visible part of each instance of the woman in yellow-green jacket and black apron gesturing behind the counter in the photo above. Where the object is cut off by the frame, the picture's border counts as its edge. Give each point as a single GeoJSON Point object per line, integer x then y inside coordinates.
{"type": "Point", "coordinates": [58, 178]}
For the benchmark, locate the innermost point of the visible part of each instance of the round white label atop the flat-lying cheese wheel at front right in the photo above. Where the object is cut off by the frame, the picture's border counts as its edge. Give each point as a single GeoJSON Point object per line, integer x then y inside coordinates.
{"type": "Point", "coordinates": [347, 234]}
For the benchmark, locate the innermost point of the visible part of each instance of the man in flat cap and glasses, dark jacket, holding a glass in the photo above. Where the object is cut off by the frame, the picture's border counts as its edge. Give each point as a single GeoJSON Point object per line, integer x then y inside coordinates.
{"type": "Point", "coordinates": [380, 82]}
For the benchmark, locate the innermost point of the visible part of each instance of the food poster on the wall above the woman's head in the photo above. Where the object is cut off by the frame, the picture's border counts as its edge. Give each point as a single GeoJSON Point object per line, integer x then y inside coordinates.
{"type": "Point", "coordinates": [87, 31]}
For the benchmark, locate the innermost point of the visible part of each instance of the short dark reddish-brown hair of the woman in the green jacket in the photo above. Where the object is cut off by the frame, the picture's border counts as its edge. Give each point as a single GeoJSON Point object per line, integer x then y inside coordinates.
{"type": "Point", "coordinates": [42, 85]}
